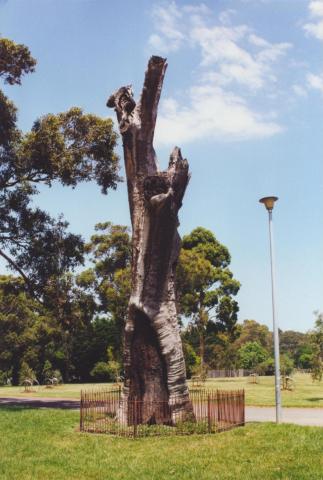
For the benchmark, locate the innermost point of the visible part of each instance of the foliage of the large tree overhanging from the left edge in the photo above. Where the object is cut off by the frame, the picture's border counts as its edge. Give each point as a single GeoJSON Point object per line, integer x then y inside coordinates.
{"type": "Point", "coordinates": [68, 147]}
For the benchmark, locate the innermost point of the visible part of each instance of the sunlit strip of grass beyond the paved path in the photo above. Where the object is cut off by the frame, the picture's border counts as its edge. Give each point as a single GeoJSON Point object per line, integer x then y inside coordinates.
{"type": "Point", "coordinates": [306, 393]}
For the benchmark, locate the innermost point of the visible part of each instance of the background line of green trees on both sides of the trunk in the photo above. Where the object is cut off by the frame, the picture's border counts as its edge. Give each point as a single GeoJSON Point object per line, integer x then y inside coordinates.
{"type": "Point", "coordinates": [82, 339]}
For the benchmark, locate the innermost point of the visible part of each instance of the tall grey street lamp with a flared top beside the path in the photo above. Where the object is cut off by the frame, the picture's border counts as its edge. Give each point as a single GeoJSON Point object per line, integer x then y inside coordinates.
{"type": "Point", "coordinates": [269, 204]}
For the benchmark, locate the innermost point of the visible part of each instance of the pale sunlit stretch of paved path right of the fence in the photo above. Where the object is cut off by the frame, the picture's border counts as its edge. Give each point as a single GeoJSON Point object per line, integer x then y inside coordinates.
{"type": "Point", "coordinates": [301, 416]}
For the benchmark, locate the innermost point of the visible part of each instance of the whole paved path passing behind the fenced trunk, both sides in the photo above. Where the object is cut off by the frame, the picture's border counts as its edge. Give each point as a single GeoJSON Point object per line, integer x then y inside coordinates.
{"type": "Point", "coordinates": [301, 416]}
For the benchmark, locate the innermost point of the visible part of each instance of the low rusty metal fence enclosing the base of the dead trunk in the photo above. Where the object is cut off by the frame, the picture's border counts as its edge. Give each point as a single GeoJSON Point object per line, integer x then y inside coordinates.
{"type": "Point", "coordinates": [104, 411]}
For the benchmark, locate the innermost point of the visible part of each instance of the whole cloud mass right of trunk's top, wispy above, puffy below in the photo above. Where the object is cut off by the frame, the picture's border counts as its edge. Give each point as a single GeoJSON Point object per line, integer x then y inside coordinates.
{"type": "Point", "coordinates": [232, 58]}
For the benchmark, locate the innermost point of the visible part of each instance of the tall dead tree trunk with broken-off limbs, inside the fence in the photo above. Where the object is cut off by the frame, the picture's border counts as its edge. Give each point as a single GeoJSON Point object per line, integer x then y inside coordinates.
{"type": "Point", "coordinates": [153, 354]}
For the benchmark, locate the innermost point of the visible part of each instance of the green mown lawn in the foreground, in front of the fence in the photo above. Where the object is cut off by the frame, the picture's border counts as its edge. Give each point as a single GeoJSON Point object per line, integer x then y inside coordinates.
{"type": "Point", "coordinates": [44, 444]}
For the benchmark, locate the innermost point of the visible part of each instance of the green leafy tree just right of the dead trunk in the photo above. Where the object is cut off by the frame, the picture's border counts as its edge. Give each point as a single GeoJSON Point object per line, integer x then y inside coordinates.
{"type": "Point", "coordinates": [205, 286]}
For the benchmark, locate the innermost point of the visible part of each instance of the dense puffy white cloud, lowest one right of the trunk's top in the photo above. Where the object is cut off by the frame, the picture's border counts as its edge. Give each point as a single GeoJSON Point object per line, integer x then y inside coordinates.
{"type": "Point", "coordinates": [210, 113]}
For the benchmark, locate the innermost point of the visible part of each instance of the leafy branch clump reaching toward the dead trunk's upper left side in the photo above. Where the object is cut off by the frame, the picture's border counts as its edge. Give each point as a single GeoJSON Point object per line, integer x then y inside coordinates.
{"type": "Point", "coordinates": [70, 147]}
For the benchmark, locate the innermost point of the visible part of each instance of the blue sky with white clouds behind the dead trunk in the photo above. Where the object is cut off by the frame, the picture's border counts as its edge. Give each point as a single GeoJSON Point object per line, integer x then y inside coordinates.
{"type": "Point", "coordinates": [243, 98]}
